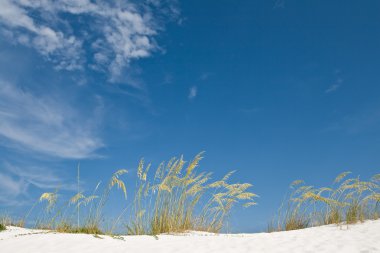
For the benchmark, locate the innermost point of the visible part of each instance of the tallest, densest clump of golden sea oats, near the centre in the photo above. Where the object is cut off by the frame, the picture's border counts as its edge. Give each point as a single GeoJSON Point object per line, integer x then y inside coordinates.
{"type": "Point", "coordinates": [178, 198]}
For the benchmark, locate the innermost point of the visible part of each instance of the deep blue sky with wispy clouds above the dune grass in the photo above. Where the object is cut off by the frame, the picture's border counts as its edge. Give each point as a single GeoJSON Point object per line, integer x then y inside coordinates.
{"type": "Point", "coordinates": [278, 90]}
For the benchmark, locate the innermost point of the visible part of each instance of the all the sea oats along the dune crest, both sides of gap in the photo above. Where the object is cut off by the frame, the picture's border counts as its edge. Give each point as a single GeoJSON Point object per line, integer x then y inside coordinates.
{"type": "Point", "coordinates": [178, 196]}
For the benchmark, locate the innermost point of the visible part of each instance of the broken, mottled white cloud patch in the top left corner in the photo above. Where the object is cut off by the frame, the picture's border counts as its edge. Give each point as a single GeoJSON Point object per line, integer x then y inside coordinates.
{"type": "Point", "coordinates": [106, 35]}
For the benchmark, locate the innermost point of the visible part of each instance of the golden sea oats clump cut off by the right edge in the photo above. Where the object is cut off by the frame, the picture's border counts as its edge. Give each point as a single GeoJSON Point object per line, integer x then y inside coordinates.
{"type": "Point", "coordinates": [347, 200]}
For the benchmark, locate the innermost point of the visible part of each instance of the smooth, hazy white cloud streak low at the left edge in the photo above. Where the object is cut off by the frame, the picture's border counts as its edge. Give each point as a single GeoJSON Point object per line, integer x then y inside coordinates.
{"type": "Point", "coordinates": [42, 124]}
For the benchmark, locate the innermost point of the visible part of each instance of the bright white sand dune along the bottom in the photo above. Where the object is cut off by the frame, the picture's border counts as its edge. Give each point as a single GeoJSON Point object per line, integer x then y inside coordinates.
{"type": "Point", "coordinates": [360, 238]}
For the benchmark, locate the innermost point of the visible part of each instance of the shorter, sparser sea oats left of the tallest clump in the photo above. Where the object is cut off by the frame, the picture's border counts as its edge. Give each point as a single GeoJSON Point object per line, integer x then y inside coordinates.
{"type": "Point", "coordinates": [79, 214]}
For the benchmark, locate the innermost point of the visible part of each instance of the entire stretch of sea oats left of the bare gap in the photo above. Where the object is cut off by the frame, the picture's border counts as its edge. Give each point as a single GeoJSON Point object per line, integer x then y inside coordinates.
{"type": "Point", "coordinates": [177, 197]}
